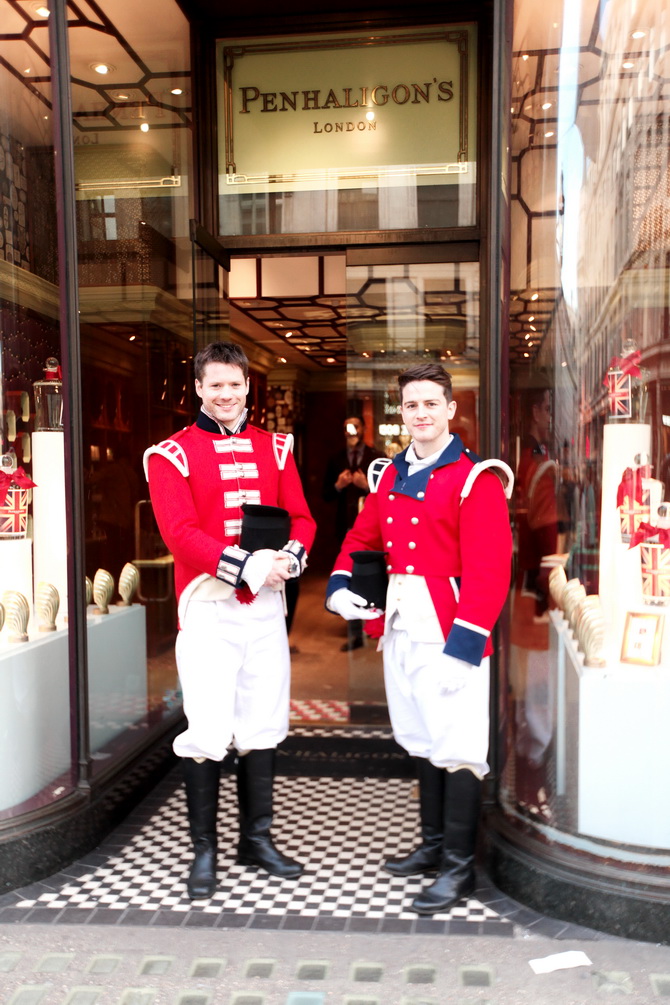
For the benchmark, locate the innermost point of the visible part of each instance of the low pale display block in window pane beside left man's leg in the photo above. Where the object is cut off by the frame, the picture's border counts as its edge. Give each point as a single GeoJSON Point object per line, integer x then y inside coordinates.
{"type": "Point", "coordinates": [117, 672]}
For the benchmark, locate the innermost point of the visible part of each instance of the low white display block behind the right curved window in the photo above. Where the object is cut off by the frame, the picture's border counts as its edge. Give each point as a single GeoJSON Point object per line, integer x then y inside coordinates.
{"type": "Point", "coordinates": [624, 745]}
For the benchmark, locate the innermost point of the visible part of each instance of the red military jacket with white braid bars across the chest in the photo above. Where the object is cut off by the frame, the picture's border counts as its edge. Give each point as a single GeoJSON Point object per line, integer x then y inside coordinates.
{"type": "Point", "coordinates": [199, 480]}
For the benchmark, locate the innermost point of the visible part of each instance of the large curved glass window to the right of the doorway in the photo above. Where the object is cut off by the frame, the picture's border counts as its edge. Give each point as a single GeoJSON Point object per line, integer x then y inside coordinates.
{"type": "Point", "coordinates": [590, 660]}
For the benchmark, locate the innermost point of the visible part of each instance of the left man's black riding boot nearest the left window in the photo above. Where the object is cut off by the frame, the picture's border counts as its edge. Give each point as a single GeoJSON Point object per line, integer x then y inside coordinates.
{"type": "Point", "coordinates": [202, 799]}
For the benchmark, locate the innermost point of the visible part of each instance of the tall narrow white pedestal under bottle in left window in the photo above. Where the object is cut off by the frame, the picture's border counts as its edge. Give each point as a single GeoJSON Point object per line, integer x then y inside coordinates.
{"type": "Point", "coordinates": [49, 511]}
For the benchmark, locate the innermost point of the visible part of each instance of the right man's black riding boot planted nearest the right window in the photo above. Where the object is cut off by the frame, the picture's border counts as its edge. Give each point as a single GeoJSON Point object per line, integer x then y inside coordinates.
{"type": "Point", "coordinates": [457, 879]}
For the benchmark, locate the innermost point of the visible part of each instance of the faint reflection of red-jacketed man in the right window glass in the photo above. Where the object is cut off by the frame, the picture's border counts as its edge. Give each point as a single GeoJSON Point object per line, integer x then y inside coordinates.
{"type": "Point", "coordinates": [538, 528]}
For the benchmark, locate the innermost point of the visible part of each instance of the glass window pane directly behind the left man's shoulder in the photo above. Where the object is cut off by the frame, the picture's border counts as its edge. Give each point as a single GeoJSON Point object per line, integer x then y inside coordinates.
{"type": "Point", "coordinates": [132, 99]}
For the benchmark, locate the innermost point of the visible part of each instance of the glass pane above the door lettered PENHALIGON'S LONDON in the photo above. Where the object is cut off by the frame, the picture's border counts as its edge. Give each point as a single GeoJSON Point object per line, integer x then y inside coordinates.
{"type": "Point", "coordinates": [348, 132]}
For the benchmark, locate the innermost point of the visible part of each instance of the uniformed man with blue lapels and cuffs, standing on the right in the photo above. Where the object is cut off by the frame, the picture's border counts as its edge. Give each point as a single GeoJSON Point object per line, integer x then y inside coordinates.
{"type": "Point", "coordinates": [439, 516]}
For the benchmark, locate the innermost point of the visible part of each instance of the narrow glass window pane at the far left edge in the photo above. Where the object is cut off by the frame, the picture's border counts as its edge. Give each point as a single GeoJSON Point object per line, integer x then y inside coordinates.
{"type": "Point", "coordinates": [35, 664]}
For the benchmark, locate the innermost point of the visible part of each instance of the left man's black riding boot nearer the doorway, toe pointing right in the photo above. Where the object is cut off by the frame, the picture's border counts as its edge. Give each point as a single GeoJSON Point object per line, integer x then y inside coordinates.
{"type": "Point", "coordinates": [256, 776]}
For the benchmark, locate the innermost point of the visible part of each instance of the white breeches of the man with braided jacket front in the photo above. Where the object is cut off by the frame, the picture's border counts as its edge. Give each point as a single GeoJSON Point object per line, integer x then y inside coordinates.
{"type": "Point", "coordinates": [235, 670]}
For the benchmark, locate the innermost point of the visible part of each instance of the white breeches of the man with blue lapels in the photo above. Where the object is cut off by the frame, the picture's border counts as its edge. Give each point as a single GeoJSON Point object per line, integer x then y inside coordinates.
{"type": "Point", "coordinates": [451, 730]}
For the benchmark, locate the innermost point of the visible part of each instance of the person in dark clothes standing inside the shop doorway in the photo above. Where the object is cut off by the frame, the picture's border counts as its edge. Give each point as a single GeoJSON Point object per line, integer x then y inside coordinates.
{"type": "Point", "coordinates": [346, 485]}
